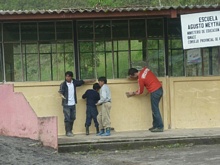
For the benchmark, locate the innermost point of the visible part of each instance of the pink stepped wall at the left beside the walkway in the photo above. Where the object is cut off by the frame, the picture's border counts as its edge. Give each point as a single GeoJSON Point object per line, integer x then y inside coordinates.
{"type": "Point", "coordinates": [17, 118]}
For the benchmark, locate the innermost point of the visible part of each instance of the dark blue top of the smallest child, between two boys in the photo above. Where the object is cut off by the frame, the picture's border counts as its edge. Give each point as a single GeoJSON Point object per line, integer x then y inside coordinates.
{"type": "Point", "coordinates": [91, 96]}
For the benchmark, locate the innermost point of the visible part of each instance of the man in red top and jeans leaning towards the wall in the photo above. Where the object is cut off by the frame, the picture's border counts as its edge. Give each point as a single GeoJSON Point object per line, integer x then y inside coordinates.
{"type": "Point", "coordinates": [147, 79]}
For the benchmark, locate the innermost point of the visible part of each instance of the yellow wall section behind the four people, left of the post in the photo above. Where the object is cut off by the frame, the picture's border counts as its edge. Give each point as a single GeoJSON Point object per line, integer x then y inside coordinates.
{"type": "Point", "coordinates": [127, 114]}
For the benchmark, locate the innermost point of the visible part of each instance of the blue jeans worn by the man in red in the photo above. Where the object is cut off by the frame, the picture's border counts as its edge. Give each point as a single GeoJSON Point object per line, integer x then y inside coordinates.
{"type": "Point", "coordinates": [155, 99]}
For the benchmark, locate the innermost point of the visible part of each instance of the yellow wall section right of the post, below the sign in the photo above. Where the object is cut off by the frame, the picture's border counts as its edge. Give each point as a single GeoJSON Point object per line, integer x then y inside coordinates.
{"type": "Point", "coordinates": [195, 102]}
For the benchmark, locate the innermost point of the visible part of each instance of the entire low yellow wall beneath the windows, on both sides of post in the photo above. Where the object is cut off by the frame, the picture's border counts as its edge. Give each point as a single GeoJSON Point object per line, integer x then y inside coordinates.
{"type": "Point", "coordinates": [186, 103]}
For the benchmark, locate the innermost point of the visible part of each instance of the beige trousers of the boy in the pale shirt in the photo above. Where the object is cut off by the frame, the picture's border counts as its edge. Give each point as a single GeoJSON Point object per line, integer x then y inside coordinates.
{"type": "Point", "coordinates": [104, 116]}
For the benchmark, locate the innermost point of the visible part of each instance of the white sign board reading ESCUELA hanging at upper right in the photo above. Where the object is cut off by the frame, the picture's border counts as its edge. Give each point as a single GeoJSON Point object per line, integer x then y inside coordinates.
{"type": "Point", "coordinates": [201, 30]}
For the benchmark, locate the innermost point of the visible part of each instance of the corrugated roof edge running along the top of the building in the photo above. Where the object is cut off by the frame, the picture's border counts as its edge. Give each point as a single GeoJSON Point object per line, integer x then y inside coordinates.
{"type": "Point", "coordinates": [105, 9]}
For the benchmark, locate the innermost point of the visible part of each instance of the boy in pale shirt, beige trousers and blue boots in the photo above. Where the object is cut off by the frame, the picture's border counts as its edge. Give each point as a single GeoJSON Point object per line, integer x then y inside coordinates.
{"type": "Point", "coordinates": [105, 102]}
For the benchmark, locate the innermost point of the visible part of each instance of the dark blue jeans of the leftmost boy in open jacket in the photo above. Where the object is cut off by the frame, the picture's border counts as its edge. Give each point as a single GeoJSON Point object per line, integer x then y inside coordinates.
{"type": "Point", "coordinates": [69, 117]}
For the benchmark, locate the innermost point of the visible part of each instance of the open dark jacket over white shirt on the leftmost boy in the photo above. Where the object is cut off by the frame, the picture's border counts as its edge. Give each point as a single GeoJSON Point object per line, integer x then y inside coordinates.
{"type": "Point", "coordinates": [64, 90]}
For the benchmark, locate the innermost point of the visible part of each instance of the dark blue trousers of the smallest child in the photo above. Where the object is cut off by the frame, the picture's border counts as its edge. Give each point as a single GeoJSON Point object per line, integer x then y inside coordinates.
{"type": "Point", "coordinates": [91, 113]}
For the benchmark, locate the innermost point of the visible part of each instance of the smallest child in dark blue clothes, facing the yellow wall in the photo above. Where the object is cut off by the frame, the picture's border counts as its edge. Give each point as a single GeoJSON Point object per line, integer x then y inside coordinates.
{"type": "Point", "coordinates": [92, 97]}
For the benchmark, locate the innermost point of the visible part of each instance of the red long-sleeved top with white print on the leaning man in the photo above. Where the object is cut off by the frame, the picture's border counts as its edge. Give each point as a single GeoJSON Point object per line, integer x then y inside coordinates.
{"type": "Point", "coordinates": [147, 79]}
